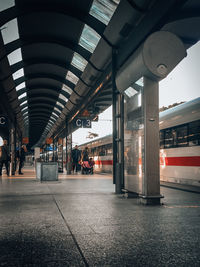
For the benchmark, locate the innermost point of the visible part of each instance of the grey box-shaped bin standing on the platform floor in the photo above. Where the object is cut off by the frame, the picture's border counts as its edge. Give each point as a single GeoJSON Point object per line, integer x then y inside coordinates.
{"type": "Point", "coordinates": [47, 171]}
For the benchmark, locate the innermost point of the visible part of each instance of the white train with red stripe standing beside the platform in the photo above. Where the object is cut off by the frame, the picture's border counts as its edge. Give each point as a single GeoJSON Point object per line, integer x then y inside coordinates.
{"type": "Point", "coordinates": [179, 145]}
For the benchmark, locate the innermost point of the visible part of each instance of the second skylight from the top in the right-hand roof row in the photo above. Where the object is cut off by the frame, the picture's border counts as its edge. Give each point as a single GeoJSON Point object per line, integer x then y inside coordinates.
{"type": "Point", "coordinates": [89, 38]}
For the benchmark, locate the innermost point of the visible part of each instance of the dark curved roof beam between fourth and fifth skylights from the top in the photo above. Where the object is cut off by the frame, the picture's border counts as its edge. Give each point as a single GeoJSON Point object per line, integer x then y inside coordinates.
{"type": "Point", "coordinates": [46, 76]}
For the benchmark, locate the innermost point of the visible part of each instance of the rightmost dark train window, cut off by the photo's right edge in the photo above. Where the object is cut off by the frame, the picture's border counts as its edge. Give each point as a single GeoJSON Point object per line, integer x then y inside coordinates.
{"type": "Point", "coordinates": [194, 133]}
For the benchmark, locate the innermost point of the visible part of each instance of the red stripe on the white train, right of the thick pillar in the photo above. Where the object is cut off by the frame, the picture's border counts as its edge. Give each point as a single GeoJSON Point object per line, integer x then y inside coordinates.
{"type": "Point", "coordinates": [182, 161]}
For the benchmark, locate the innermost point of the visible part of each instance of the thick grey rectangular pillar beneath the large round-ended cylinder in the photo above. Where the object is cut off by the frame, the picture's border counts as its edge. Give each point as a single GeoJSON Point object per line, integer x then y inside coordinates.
{"type": "Point", "coordinates": [151, 178]}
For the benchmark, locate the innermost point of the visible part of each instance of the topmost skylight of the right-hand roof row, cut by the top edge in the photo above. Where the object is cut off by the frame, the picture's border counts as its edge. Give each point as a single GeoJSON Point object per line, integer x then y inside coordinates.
{"type": "Point", "coordinates": [103, 9]}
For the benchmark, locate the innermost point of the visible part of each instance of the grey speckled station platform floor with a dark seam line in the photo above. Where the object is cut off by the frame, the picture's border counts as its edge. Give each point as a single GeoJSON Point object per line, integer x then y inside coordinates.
{"type": "Point", "coordinates": [79, 221]}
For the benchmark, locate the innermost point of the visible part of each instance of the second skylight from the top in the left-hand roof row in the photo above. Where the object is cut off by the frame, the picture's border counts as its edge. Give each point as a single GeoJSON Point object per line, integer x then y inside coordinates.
{"type": "Point", "coordinates": [10, 31]}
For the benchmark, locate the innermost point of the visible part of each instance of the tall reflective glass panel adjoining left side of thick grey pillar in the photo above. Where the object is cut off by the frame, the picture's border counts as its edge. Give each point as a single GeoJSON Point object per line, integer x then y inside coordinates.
{"type": "Point", "coordinates": [133, 138]}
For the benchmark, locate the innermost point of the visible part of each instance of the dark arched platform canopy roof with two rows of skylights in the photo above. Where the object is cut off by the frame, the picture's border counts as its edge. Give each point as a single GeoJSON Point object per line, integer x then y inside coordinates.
{"type": "Point", "coordinates": [55, 56]}
